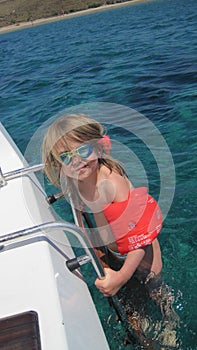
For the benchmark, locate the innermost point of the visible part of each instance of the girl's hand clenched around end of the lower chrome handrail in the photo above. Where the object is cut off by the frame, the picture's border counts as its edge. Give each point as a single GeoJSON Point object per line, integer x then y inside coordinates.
{"type": "Point", "coordinates": [111, 284]}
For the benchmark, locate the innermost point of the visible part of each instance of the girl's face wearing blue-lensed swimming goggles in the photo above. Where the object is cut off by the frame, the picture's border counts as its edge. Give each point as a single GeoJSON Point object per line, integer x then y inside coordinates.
{"type": "Point", "coordinates": [79, 163]}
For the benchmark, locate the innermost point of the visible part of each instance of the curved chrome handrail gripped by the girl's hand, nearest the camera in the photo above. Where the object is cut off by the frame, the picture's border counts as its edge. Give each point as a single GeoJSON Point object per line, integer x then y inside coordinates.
{"type": "Point", "coordinates": [75, 230]}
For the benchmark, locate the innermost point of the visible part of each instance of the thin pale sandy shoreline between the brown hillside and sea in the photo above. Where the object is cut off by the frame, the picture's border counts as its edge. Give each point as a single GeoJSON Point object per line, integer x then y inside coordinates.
{"type": "Point", "coordinates": [23, 25]}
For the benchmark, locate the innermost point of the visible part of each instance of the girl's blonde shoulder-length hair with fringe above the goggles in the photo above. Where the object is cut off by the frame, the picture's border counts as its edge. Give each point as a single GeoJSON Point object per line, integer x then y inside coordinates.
{"type": "Point", "coordinates": [78, 128]}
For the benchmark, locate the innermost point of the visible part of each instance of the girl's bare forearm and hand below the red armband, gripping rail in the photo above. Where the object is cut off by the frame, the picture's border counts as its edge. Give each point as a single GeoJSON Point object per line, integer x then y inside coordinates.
{"type": "Point", "coordinates": [114, 280]}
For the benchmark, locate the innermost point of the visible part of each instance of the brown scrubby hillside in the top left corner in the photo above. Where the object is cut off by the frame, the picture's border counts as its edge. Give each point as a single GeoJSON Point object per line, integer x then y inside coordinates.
{"type": "Point", "coordinates": [16, 11]}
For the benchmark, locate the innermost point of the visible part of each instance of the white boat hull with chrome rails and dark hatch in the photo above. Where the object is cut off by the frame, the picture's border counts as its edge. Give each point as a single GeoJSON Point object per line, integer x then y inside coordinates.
{"type": "Point", "coordinates": [43, 305]}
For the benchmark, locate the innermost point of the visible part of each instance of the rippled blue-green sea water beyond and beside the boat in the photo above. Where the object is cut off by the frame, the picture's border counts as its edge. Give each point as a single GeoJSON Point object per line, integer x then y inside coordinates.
{"type": "Point", "coordinates": [141, 57]}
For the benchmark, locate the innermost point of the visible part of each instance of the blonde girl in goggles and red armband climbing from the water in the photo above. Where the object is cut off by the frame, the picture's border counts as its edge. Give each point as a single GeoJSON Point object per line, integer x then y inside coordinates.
{"type": "Point", "coordinates": [129, 220]}
